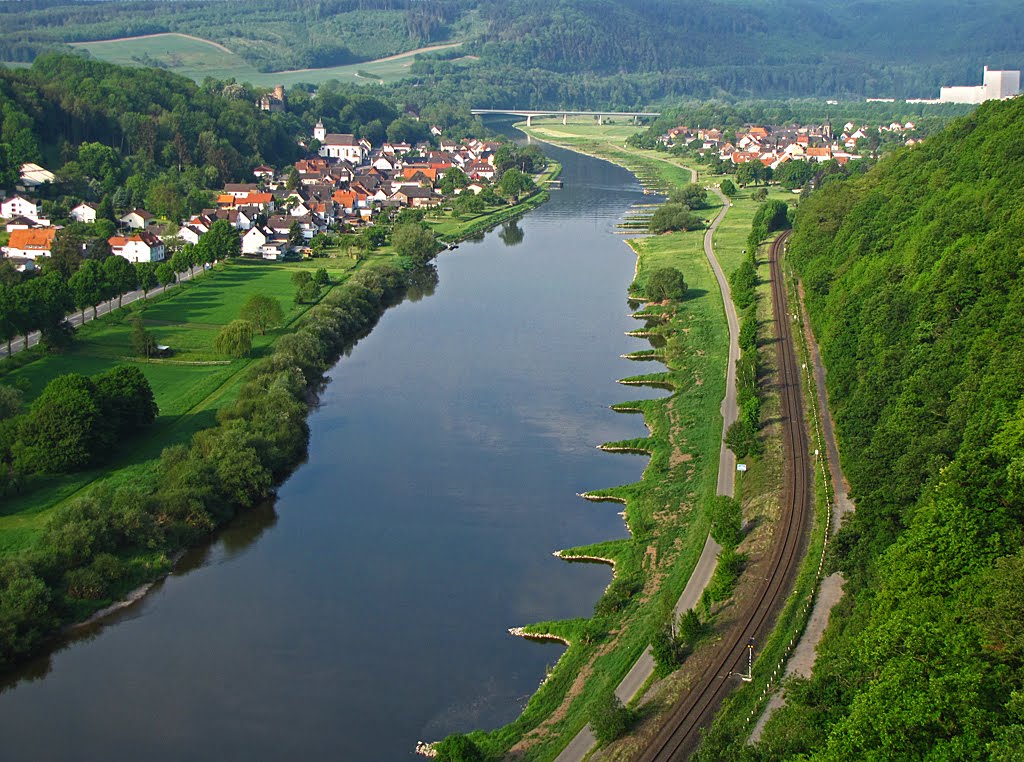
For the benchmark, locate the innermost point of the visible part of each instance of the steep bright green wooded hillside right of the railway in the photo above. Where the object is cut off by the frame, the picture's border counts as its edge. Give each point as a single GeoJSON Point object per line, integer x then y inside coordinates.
{"type": "Point", "coordinates": [914, 278]}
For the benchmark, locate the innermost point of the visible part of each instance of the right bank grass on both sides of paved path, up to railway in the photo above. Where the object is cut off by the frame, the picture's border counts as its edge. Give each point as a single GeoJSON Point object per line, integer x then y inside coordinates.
{"type": "Point", "coordinates": [666, 511]}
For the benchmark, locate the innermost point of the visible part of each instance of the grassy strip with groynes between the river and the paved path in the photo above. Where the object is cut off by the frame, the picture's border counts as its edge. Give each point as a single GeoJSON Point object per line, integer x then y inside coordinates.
{"type": "Point", "coordinates": [668, 527]}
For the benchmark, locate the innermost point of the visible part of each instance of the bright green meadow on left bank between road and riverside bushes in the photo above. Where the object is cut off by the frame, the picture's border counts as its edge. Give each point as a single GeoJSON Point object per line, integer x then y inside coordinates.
{"type": "Point", "coordinates": [190, 387]}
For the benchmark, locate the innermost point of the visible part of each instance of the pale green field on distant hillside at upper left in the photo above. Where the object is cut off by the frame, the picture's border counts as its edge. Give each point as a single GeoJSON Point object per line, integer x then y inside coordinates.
{"type": "Point", "coordinates": [198, 59]}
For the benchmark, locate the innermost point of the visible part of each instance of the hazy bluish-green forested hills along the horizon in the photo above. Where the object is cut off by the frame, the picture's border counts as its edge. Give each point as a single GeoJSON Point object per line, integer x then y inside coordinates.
{"type": "Point", "coordinates": [580, 53]}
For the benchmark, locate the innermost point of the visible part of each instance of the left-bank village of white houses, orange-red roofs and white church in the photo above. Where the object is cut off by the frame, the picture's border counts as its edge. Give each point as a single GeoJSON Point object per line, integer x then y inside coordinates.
{"type": "Point", "coordinates": [344, 185]}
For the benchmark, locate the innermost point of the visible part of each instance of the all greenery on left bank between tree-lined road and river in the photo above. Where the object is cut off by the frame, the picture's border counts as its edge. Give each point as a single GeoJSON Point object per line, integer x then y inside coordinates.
{"type": "Point", "coordinates": [163, 501]}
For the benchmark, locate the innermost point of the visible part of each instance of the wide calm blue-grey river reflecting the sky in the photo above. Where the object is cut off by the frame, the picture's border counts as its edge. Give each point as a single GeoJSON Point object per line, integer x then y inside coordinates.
{"type": "Point", "coordinates": [367, 609]}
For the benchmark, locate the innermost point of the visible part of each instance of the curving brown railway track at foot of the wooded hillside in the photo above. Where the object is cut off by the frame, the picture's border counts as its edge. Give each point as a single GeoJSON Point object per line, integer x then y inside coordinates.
{"type": "Point", "coordinates": [679, 738]}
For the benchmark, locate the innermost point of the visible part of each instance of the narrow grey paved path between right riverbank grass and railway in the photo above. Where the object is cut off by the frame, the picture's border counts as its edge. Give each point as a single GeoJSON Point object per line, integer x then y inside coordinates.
{"type": "Point", "coordinates": [644, 668]}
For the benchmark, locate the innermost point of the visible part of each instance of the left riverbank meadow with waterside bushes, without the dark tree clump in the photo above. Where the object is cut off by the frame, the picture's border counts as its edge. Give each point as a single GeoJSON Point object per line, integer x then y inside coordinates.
{"type": "Point", "coordinates": [198, 391]}
